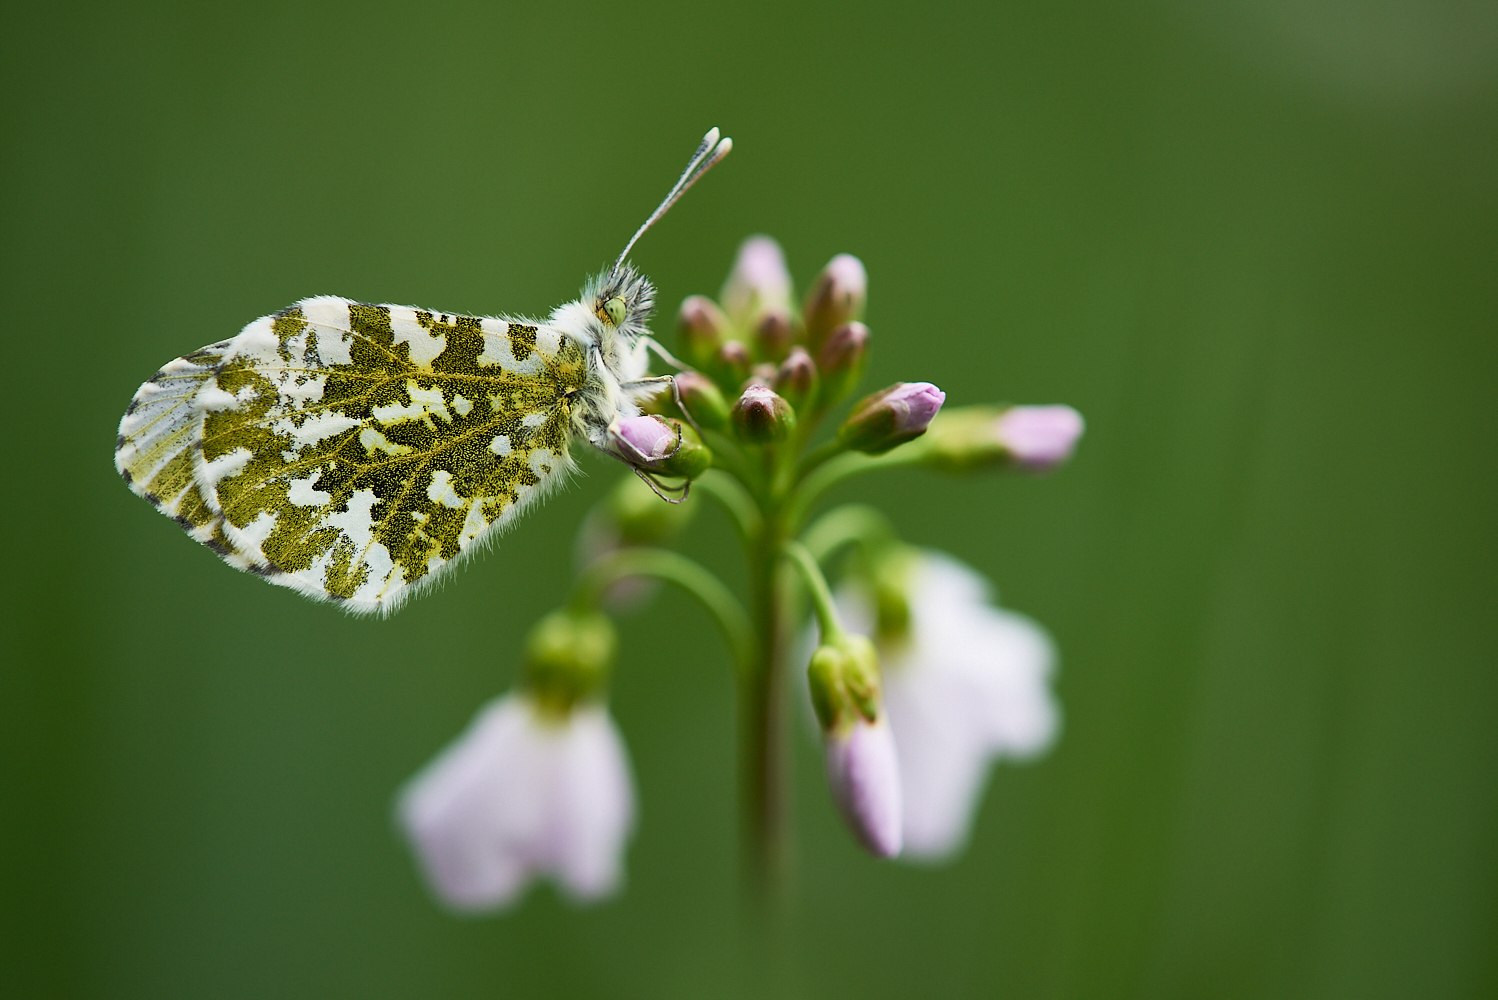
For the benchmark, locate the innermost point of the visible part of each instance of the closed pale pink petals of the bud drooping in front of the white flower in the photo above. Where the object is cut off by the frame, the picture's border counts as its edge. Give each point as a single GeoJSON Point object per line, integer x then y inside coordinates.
{"type": "Point", "coordinates": [864, 775]}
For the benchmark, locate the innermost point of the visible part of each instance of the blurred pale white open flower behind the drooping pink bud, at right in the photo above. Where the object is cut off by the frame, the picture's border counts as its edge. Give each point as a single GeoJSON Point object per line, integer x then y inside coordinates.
{"type": "Point", "coordinates": [967, 685]}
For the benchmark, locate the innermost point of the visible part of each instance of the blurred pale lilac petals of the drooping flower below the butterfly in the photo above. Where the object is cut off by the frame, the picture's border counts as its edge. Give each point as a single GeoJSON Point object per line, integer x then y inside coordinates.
{"type": "Point", "coordinates": [524, 793]}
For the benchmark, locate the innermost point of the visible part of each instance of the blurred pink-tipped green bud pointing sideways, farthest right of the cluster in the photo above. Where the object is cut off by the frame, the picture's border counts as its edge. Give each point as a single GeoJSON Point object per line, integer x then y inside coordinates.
{"type": "Point", "coordinates": [1034, 438]}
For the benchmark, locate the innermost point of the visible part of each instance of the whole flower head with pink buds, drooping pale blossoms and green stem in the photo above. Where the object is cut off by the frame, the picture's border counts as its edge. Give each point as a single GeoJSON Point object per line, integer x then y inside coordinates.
{"type": "Point", "coordinates": [918, 680]}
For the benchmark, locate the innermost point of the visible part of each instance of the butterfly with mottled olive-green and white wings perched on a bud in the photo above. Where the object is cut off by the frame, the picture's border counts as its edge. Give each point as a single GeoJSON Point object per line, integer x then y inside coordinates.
{"type": "Point", "coordinates": [354, 453]}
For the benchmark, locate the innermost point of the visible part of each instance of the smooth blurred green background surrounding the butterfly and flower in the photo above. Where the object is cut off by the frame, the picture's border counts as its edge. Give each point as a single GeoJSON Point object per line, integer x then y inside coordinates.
{"type": "Point", "coordinates": [1253, 242]}
